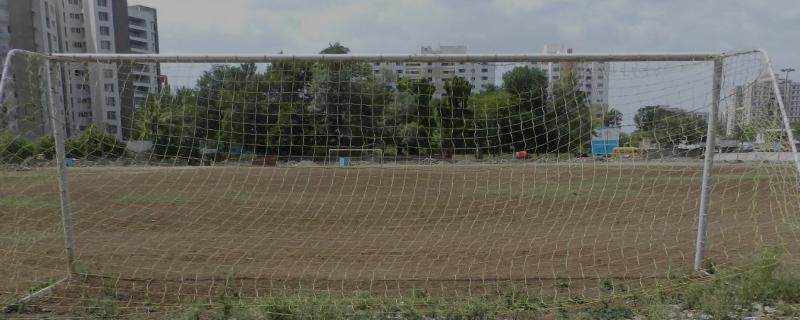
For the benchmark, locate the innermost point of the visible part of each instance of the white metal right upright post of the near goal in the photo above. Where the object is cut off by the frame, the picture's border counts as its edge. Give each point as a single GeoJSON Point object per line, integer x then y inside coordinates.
{"type": "Point", "coordinates": [708, 167]}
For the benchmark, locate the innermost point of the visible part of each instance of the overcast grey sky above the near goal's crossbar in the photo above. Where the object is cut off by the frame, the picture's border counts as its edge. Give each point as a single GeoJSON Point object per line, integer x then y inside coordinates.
{"type": "Point", "coordinates": [502, 26]}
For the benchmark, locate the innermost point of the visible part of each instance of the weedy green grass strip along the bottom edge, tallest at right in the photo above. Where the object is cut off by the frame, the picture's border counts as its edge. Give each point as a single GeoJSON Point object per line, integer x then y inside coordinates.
{"type": "Point", "coordinates": [726, 294]}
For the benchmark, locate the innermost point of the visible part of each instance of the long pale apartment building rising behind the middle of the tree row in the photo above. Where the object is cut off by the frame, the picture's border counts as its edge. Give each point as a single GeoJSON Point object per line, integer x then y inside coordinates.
{"type": "Point", "coordinates": [480, 75]}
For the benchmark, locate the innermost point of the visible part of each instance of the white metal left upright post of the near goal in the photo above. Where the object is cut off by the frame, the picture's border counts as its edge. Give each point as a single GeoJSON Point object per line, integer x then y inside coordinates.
{"type": "Point", "coordinates": [58, 127]}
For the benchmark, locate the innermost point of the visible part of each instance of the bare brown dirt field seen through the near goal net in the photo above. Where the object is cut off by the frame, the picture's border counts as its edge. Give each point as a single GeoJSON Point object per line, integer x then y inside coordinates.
{"type": "Point", "coordinates": [172, 233]}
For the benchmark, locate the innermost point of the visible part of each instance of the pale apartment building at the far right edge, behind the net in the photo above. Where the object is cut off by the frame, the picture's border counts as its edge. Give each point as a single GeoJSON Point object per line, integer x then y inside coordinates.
{"type": "Point", "coordinates": [758, 99]}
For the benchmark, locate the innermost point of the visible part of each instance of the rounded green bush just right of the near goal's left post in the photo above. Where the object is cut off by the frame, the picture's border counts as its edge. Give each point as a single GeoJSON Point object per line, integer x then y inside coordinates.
{"type": "Point", "coordinates": [94, 143]}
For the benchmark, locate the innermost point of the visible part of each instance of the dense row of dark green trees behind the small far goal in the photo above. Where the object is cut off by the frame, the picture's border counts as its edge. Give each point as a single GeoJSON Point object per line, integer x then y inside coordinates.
{"type": "Point", "coordinates": [308, 108]}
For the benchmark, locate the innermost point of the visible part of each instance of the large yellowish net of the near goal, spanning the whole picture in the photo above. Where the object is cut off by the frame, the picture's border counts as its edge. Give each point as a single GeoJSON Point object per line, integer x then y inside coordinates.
{"type": "Point", "coordinates": [166, 182]}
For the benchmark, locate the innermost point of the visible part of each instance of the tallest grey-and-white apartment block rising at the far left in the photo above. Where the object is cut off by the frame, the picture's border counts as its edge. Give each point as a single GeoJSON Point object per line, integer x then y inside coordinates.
{"type": "Point", "coordinates": [102, 95]}
